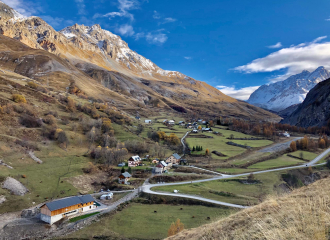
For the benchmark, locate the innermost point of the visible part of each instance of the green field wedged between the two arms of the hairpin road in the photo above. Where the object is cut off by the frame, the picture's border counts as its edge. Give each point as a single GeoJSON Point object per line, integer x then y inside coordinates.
{"type": "Point", "coordinates": [245, 194]}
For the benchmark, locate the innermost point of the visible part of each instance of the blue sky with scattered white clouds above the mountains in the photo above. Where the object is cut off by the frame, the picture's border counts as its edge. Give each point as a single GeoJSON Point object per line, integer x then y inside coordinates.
{"type": "Point", "coordinates": [233, 45]}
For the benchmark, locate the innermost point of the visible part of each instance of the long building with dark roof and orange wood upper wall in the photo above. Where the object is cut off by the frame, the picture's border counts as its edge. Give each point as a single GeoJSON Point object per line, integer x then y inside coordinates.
{"type": "Point", "coordinates": [56, 210]}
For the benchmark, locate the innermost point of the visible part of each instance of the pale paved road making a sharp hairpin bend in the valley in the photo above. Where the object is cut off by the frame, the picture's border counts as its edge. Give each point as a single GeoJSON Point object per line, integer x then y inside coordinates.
{"type": "Point", "coordinates": [147, 187]}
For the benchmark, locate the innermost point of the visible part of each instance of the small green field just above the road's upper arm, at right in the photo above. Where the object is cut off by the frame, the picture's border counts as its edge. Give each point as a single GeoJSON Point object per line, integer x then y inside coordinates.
{"type": "Point", "coordinates": [282, 161]}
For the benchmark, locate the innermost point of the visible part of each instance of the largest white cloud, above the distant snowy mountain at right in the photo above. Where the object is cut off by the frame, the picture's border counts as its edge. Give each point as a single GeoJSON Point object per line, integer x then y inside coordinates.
{"type": "Point", "coordinates": [305, 56]}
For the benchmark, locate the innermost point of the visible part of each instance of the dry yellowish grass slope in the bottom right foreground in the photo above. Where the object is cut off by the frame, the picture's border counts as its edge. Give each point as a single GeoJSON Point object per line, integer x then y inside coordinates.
{"type": "Point", "coordinates": [304, 214]}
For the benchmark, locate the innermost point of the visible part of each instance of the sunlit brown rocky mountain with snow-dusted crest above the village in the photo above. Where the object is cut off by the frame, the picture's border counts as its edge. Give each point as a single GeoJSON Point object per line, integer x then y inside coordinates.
{"type": "Point", "coordinates": [102, 65]}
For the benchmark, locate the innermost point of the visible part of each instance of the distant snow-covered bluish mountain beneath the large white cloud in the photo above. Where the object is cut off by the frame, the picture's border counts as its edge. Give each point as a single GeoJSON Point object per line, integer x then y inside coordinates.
{"type": "Point", "coordinates": [281, 95]}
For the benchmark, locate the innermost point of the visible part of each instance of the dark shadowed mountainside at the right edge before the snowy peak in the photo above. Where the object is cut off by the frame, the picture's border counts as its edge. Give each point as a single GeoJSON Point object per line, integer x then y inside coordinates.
{"type": "Point", "coordinates": [315, 109]}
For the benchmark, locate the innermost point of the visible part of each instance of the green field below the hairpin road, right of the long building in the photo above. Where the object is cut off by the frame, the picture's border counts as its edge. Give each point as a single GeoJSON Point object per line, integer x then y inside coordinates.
{"type": "Point", "coordinates": [138, 221]}
